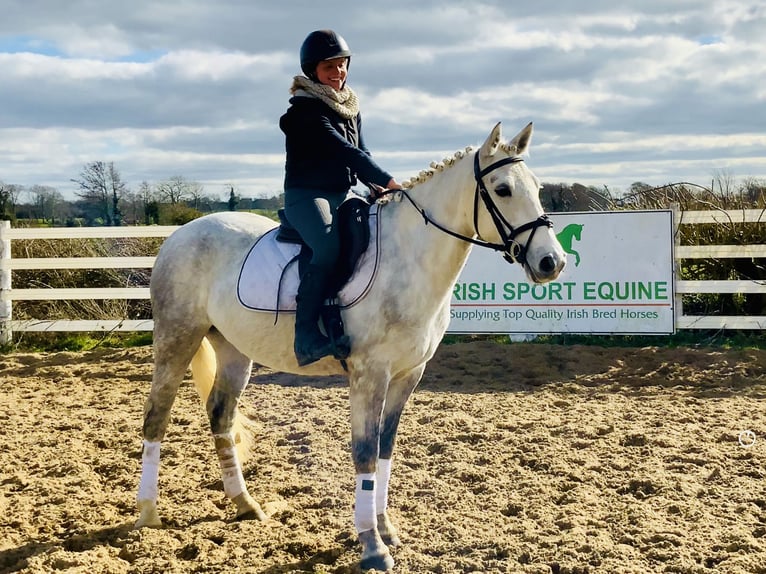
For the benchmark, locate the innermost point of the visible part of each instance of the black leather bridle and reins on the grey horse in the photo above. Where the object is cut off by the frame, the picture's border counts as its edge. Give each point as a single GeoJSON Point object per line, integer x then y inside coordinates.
{"type": "Point", "coordinates": [513, 251]}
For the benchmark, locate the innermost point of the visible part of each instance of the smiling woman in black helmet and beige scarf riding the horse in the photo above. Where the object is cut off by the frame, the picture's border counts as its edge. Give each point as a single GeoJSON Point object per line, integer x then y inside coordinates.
{"type": "Point", "coordinates": [325, 156]}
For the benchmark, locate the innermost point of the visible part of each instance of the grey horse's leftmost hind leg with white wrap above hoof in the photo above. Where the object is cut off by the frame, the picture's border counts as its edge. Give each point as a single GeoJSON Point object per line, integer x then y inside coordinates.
{"type": "Point", "coordinates": [172, 354]}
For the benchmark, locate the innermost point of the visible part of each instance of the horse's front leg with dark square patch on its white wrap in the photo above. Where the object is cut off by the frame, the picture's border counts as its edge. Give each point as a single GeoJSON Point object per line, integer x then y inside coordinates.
{"type": "Point", "coordinates": [367, 394]}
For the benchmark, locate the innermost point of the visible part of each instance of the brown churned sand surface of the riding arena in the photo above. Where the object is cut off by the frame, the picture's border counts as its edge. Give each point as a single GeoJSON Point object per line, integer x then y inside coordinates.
{"type": "Point", "coordinates": [511, 458]}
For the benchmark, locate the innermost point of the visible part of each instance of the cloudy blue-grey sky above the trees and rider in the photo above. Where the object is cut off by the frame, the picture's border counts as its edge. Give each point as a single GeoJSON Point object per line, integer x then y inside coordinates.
{"type": "Point", "coordinates": [647, 91]}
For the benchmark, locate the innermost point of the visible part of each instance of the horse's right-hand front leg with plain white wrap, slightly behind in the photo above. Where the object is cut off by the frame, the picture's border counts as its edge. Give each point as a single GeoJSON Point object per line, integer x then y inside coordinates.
{"type": "Point", "coordinates": [399, 391]}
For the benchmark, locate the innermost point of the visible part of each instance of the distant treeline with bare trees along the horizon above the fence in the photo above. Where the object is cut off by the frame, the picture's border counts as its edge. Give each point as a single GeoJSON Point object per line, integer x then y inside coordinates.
{"type": "Point", "coordinates": [103, 198]}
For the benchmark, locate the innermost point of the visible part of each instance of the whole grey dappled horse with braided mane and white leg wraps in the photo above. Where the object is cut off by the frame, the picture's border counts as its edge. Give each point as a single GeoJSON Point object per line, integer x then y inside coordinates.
{"type": "Point", "coordinates": [486, 196]}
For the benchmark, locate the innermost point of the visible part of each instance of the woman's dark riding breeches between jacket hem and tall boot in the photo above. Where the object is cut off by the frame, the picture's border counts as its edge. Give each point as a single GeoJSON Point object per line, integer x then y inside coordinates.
{"type": "Point", "coordinates": [313, 214]}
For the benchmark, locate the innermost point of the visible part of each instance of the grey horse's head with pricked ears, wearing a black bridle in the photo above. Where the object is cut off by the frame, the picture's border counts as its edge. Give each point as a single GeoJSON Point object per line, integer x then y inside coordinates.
{"type": "Point", "coordinates": [513, 215]}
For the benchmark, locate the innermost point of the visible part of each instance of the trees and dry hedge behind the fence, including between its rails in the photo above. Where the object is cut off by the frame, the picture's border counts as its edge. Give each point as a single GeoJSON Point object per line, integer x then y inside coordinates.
{"type": "Point", "coordinates": [554, 197]}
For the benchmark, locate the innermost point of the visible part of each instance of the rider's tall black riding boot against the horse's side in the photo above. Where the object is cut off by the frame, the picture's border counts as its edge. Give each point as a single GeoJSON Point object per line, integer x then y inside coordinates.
{"type": "Point", "coordinates": [310, 344]}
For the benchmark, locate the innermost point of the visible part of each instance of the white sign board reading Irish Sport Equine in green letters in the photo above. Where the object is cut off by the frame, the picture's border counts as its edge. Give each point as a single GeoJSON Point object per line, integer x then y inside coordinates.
{"type": "Point", "coordinates": [618, 279]}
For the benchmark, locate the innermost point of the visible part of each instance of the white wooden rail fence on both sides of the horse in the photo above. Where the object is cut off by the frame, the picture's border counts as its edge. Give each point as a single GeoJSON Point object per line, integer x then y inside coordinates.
{"type": "Point", "coordinates": [8, 265]}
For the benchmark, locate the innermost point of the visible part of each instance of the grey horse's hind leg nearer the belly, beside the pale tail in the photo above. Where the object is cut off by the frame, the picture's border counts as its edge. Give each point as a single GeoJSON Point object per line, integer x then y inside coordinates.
{"type": "Point", "coordinates": [232, 374]}
